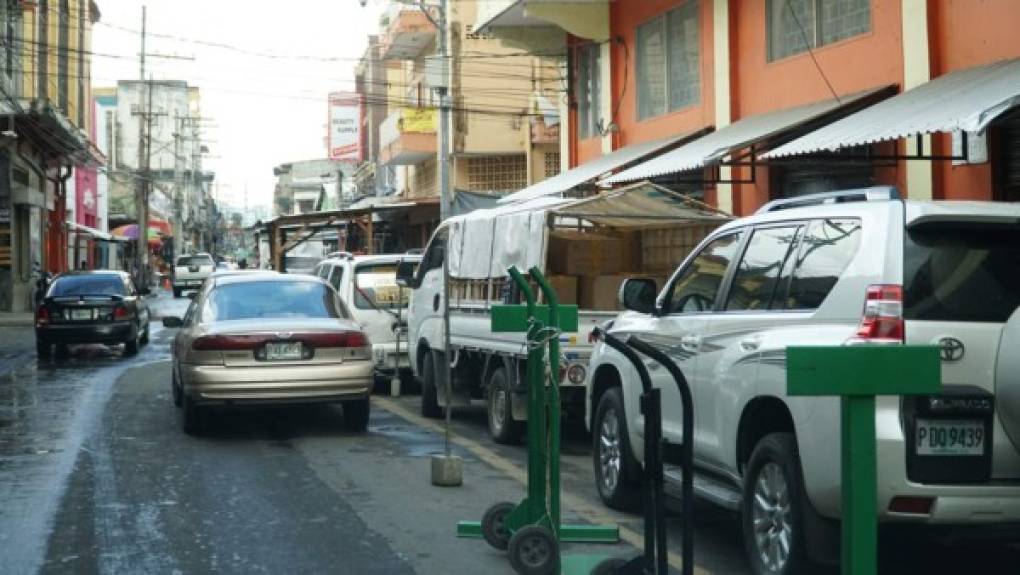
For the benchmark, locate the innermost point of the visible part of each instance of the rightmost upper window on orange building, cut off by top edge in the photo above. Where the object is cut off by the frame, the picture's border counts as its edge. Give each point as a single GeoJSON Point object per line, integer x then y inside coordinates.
{"type": "Point", "coordinates": [795, 26]}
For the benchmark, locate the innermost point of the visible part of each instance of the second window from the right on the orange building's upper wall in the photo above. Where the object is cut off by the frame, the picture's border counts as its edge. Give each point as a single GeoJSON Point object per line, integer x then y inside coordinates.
{"type": "Point", "coordinates": [669, 61]}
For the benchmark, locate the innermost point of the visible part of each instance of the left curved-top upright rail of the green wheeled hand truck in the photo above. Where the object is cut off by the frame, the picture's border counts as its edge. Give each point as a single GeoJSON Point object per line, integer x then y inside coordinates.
{"type": "Point", "coordinates": [536, 503]}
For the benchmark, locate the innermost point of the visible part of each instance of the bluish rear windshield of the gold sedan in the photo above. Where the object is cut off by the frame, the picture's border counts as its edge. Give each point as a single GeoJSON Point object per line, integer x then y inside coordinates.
{"type": "Point", "coordinates": [252, 300]}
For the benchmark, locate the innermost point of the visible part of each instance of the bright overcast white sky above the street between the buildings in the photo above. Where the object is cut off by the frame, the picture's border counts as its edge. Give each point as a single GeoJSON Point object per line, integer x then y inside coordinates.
{"type": "Point", "coordinates": [265, 112]}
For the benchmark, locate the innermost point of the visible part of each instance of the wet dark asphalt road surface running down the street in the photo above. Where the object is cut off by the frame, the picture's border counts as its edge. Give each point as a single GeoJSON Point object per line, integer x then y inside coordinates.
{"type": "Point", "coordinates": [96, 478]}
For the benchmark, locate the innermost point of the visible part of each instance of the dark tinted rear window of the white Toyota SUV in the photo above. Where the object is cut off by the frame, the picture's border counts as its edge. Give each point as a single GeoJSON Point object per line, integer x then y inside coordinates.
{"type": "Point", "coordinates": [962, 273]}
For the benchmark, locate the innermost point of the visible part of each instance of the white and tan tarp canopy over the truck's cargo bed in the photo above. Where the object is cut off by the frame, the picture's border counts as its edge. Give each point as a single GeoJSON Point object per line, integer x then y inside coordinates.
{"type": "Point", "coordinates": [485, 243]}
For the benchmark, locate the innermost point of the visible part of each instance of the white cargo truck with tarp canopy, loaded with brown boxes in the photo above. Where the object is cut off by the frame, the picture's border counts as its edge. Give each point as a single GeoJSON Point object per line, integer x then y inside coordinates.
{"type": "Point", "coordinates": [586, 248]}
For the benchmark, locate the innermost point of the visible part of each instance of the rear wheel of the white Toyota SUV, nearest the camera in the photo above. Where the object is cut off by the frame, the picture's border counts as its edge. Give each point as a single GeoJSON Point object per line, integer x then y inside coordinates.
{"type": "Point", "coordinates": [774, 507]}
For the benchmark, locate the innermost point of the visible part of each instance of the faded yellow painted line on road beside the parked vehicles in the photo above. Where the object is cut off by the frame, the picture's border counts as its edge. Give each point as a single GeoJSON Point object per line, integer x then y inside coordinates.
{"type": "Point", "coordinates": [588, 511]}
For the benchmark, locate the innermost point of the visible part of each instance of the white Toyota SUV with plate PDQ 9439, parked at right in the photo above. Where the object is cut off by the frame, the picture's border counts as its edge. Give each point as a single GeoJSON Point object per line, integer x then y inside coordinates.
{"type": "Point", "coordinates": [853, 268]}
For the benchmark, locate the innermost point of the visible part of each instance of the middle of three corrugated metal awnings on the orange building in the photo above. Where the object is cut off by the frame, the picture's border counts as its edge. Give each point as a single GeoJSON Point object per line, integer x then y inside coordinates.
{"type": "Point", "coordinates": [722, 143]}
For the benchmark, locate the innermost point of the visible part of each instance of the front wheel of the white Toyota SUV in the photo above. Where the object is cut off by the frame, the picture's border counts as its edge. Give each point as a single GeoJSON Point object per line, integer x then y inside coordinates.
{"type": "Point", "coordinates": [617, 471]}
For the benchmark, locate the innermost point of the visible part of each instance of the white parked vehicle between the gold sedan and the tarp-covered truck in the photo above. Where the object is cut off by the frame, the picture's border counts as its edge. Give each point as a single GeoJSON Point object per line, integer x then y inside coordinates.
{"type": "Point", "coordinates": [369, 286]}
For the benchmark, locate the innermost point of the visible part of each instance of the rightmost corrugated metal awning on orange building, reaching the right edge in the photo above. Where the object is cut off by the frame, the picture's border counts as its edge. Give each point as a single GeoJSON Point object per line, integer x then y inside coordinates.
{"type": "Point", "coordinates": [965, 101]}
